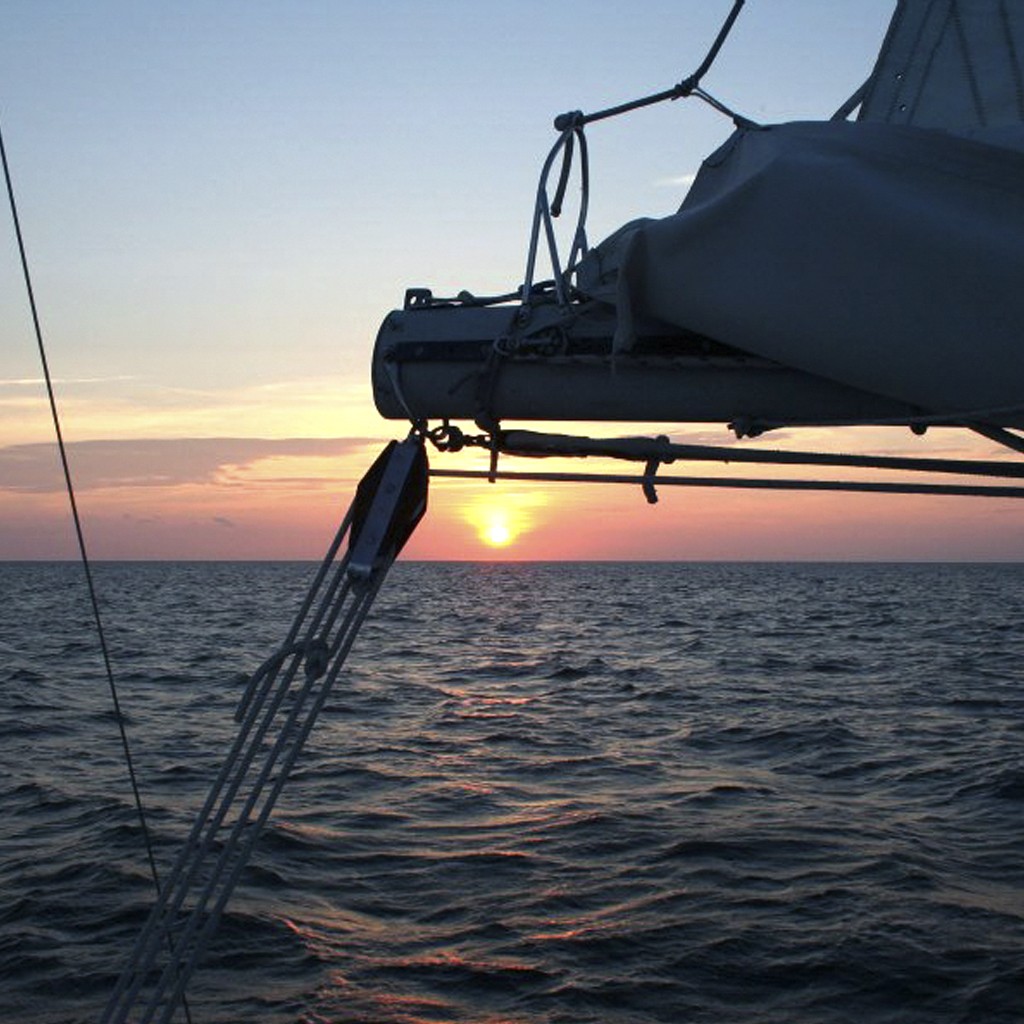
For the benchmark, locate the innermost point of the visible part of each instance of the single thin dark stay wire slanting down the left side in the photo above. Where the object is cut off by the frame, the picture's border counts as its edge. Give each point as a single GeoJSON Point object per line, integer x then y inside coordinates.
{"type": "Point", "coordinates": [87, 566]}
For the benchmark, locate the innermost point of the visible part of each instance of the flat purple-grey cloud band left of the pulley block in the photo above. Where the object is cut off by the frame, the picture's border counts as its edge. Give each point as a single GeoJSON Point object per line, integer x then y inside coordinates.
{"type": "Point", "coordinates": [169, 462]}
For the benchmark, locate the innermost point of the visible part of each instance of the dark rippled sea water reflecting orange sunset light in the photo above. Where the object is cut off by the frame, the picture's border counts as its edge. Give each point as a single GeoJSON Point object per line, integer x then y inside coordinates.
{"type": "Point", "coordinates": [543, 794]}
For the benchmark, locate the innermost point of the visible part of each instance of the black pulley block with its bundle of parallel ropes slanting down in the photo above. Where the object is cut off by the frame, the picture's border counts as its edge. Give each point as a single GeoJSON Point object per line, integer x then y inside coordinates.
{"type": "Point", "coordinates": [277, 715]}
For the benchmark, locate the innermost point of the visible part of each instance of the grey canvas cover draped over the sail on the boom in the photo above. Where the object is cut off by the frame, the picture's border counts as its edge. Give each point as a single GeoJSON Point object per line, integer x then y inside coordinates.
{"type": "Point", "coordinates": [888, 258]}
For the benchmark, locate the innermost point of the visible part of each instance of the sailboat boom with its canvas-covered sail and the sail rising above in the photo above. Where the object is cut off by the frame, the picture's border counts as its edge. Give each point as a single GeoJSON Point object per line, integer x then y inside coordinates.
{"type": "Point", "coordinates": [832, 272]}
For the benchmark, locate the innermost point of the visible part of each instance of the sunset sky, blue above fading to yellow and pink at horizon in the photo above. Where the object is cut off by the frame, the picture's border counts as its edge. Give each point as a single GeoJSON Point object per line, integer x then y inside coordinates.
{"type": "Point", "coordinates": [222, 202]}
